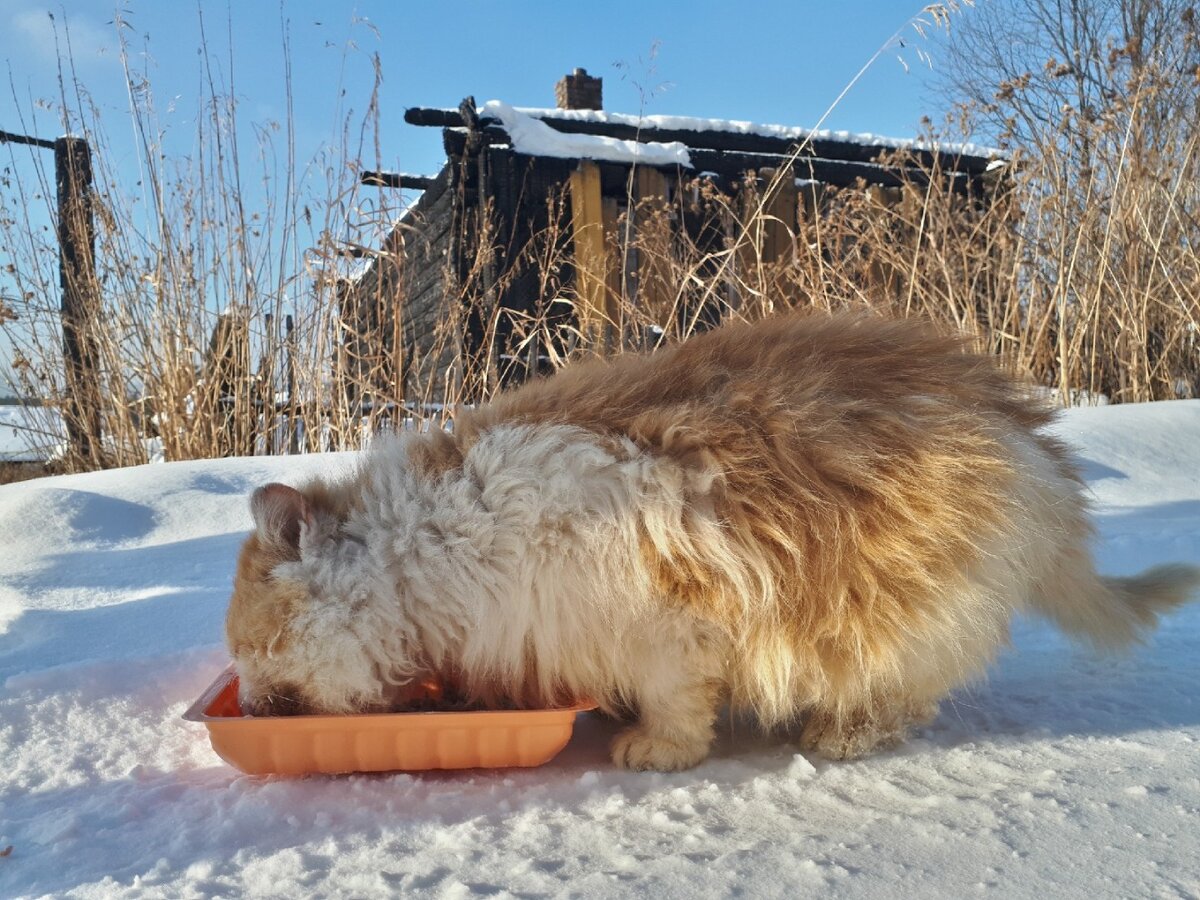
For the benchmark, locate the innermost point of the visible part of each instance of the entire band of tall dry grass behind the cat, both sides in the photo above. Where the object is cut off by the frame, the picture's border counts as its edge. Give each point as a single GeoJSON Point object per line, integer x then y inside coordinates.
{"type": "Point", "coordinates": [1087, 279]}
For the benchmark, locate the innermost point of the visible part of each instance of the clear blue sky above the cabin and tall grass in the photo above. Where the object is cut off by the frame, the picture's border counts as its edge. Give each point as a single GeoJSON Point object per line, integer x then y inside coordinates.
{"type": "Point", "coordinates": [761, 62]}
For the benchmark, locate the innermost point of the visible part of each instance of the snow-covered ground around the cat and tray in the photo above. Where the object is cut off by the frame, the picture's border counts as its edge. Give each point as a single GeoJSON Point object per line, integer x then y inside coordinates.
{"type": "Point", "coordinates": [1064, 776]}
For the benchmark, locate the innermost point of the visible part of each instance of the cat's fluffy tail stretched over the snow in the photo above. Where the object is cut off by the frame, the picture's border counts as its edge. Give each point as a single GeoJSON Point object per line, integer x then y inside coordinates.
{"type": "Point", "coordinates": [1112, 614]}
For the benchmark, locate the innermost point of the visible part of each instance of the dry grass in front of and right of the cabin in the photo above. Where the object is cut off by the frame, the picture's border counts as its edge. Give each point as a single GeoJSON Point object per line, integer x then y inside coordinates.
{"type": "Point", "coordinates": [1088, 283]}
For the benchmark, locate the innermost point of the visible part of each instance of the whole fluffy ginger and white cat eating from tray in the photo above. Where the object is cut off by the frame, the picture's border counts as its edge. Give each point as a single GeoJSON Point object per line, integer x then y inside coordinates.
{"type": "Point", "coordinates": [809, 517]}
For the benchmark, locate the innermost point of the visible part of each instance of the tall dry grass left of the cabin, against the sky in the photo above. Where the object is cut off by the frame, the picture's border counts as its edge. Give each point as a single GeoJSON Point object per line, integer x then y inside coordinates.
{"type": "Point", "coordinates": [212, 321]}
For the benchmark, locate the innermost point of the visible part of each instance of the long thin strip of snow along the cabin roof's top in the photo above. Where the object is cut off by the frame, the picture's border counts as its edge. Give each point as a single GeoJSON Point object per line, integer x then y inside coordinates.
{"type": "Point", "coordinates": [731, 127]}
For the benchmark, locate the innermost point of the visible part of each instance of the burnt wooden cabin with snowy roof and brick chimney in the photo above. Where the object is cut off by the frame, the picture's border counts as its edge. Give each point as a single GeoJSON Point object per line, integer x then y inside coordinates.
{"type": "Point", "coordinates": [527, 218]}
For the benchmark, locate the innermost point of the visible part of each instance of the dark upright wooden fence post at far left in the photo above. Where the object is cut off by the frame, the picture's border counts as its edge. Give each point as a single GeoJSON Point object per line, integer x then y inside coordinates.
{"type": "Point", "coordinates": [77, 279]}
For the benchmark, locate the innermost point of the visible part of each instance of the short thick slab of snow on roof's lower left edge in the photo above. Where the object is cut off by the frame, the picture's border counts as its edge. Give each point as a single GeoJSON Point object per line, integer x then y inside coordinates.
{"type": "Point", "coordinates": [536, 139]}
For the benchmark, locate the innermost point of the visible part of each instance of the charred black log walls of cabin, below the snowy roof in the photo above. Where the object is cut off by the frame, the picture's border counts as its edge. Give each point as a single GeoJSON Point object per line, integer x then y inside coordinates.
{"type": "Point", "coordinates": [478, 265]}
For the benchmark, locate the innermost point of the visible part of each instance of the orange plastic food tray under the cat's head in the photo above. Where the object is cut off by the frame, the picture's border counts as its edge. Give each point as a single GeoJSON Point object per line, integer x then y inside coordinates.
{"type": "Point", "coordinates": [387, 742]}
